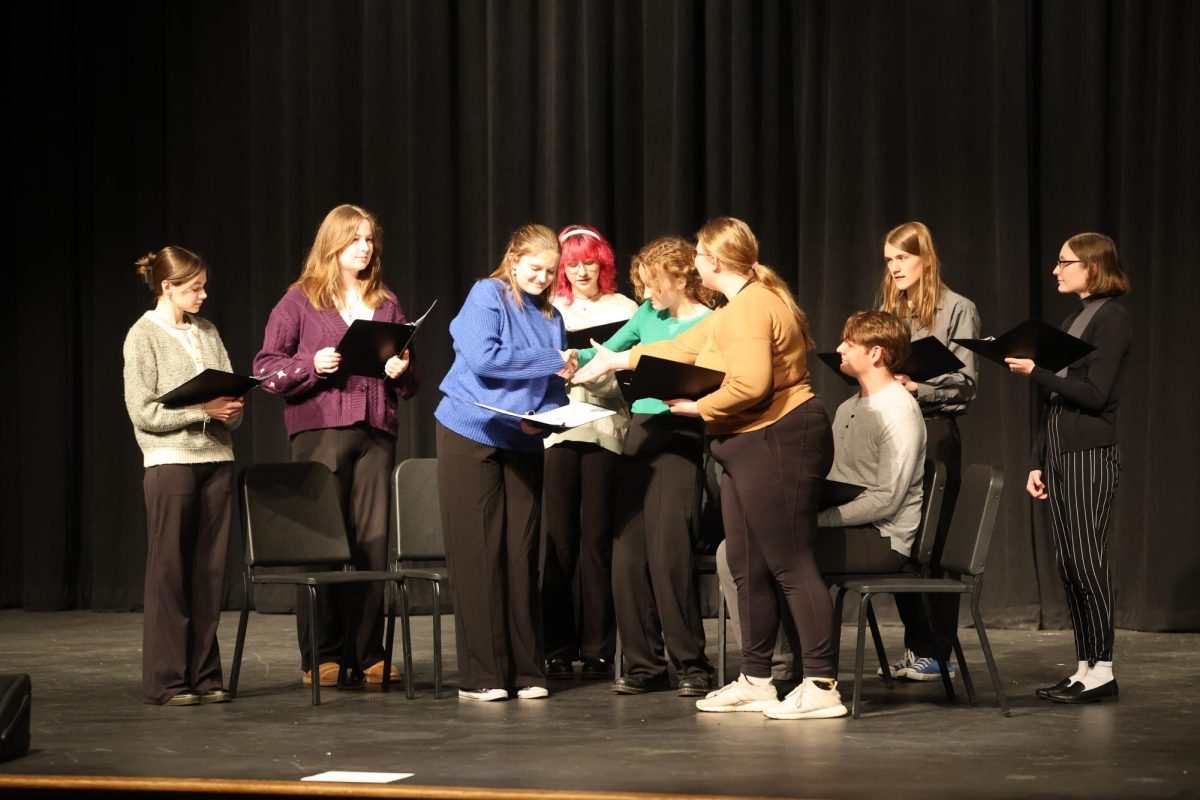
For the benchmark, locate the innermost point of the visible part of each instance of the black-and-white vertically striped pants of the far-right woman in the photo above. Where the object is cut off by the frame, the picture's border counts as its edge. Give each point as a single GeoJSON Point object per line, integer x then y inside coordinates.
{"type": "Point", "coordinates": [1082, 486]}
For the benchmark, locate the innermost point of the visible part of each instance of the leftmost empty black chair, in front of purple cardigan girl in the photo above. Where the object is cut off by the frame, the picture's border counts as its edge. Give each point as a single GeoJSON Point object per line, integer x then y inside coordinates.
{"type": "Point", "coordinates": [292, 516]}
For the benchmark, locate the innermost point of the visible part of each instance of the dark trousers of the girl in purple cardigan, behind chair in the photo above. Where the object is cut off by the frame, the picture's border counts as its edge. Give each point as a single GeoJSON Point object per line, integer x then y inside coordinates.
{"type": "Point", "coordinates": [361, 459]}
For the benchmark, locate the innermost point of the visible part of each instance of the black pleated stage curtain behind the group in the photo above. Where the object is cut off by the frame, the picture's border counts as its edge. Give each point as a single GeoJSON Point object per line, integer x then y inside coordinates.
{"type": "Point", "coordinates": [232, 128]}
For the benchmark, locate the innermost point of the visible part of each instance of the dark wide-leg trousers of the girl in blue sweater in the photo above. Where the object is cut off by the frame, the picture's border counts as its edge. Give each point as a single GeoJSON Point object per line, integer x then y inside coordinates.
{"type": "Point", "coordinates": [491, 510]}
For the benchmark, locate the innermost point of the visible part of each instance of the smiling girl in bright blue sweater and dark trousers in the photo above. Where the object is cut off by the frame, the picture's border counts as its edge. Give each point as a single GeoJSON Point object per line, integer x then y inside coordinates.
{"type": "Point", "coordinates": [511, 352]}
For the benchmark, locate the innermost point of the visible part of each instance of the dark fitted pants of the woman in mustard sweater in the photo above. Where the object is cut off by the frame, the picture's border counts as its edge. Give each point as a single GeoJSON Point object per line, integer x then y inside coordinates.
{"type": "Point", "coordinates": [770, 498]}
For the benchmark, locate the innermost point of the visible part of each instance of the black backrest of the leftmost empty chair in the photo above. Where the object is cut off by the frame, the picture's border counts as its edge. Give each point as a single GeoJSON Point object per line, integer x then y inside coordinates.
{"type": "Point", "coordinates": [292, 516]}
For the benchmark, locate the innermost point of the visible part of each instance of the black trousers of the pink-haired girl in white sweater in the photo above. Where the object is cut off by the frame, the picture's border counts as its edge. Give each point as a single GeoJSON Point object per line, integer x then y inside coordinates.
{"type": "Point", "coordinates": [577, 582]}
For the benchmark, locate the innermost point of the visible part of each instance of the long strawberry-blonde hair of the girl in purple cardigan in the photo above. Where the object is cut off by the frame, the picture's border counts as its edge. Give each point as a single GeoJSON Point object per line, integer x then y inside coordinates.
{"type": "Point", "coordinates": [321, 280]}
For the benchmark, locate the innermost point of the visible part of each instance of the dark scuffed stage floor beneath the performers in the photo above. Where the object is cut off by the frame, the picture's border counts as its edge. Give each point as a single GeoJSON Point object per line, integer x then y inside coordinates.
{"type": "Point", "coordinates": [88, 721]}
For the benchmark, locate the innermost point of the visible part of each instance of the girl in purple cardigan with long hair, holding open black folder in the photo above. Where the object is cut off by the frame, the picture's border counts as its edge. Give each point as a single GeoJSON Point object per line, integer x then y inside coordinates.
{"type": "Point", "coordinates": [346, 423]}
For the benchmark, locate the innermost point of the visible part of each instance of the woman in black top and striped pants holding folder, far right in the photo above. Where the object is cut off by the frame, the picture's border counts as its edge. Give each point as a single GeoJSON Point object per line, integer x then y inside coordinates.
{"type": "Point", "coordinates": [1077, 461]}
